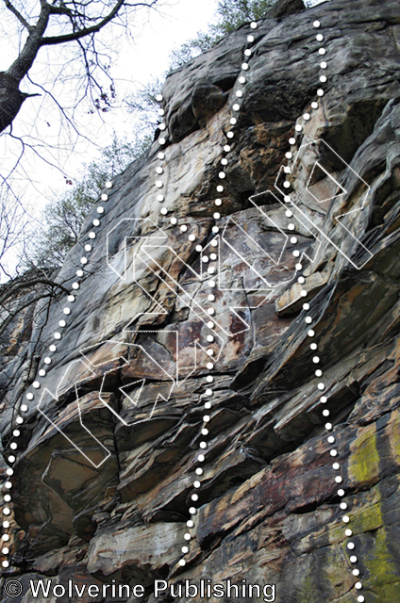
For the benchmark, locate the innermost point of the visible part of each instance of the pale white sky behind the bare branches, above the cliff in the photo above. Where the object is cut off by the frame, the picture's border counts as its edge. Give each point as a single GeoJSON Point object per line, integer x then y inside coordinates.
{"type": "Point", "coordinates": [141, 57]}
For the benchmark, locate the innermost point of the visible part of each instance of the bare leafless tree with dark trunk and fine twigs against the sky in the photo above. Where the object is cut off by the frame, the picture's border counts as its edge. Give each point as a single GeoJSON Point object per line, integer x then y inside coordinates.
{"type": "Point", "coordinates": [62, 55]}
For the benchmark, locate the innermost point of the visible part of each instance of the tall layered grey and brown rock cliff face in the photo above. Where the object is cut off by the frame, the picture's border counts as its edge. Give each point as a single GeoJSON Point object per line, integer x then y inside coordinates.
{"type": "Point", "coordinates": [189, 336]}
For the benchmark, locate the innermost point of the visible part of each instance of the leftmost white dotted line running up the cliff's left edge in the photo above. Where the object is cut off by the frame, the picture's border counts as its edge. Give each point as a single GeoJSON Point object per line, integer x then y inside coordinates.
{"type": "Point", "coordinates": [47, 360]}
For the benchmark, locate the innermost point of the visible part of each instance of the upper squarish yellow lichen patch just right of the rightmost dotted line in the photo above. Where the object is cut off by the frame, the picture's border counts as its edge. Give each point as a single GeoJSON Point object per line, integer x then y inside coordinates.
{"type": "Point", "coordinates": [364, 458]}
